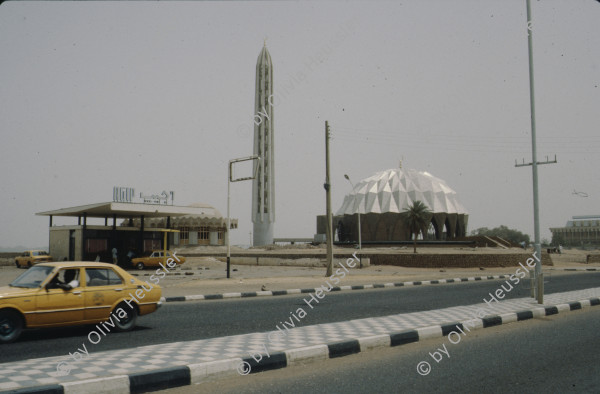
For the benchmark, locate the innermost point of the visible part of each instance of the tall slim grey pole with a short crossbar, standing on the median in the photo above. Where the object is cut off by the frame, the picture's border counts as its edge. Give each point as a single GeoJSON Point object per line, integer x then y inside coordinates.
{"type": "Point", "coordinates": [539, 279]}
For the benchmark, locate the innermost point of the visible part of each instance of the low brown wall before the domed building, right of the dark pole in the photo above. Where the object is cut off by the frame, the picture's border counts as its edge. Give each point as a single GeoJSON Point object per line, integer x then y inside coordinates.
{"type": "Point", "coordinates": [455, 260]}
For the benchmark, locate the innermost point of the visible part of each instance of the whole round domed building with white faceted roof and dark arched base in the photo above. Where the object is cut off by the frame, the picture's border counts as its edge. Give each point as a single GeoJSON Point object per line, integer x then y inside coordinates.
{"type": "Point", "coordinates": [382, 200]}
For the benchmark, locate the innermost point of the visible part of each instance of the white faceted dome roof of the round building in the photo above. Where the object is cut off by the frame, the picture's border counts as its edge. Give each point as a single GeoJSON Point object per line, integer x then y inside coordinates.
{"type": "Point", "coordinates": [395, 189]}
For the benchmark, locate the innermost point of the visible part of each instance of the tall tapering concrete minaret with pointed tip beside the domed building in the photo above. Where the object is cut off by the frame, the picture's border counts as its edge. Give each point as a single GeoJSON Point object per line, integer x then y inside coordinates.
{"type": "Point", "coordinates": [263, 187]}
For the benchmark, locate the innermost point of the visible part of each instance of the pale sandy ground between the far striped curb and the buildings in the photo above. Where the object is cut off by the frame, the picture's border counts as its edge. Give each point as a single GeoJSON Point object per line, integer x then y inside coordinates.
{"type": "Point", "coordinates": [207, 275]}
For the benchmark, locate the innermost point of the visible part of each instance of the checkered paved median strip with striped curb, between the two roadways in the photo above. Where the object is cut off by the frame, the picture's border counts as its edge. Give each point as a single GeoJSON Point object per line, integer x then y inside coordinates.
{"type": "Point", "coordinates": [184, 363]}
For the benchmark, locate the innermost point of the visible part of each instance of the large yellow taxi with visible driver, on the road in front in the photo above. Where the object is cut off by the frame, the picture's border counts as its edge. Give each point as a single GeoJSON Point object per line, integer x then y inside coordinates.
{"type": "Point", "coordinates": [74, 293]}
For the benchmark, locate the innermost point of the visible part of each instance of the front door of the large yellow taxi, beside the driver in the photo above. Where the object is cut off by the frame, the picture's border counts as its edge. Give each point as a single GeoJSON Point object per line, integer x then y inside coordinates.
{"type": "Point", "coordinates": [55, 305]}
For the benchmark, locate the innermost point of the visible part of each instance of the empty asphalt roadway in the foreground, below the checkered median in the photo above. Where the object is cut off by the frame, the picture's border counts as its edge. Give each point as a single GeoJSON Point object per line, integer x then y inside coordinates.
{"type": "Point", "coordinates": [557, 354]}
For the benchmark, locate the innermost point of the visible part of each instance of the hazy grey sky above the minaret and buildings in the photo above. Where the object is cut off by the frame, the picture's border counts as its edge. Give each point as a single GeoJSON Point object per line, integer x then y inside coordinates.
{"type": "Point", "coordinates": [160, 96]}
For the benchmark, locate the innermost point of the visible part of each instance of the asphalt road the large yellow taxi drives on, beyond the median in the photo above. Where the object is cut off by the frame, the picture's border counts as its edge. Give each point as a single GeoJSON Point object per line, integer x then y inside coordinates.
{"type": "Point", "coordinates": [207, 319]}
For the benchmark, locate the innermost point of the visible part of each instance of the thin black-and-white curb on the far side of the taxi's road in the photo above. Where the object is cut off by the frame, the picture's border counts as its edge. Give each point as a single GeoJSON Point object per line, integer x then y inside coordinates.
{"type": "Point", "coordinates": [336, 288]}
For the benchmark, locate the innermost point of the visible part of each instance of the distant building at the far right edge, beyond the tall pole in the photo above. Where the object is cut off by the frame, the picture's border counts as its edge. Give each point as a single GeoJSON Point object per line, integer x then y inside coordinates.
{"type": "Point", "coordinates": [580, 231]}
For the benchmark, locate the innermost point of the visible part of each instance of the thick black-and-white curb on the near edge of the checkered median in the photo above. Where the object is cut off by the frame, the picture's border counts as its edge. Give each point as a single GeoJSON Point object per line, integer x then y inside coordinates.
{"type": "Point", "coordinates": [185, 375]}
